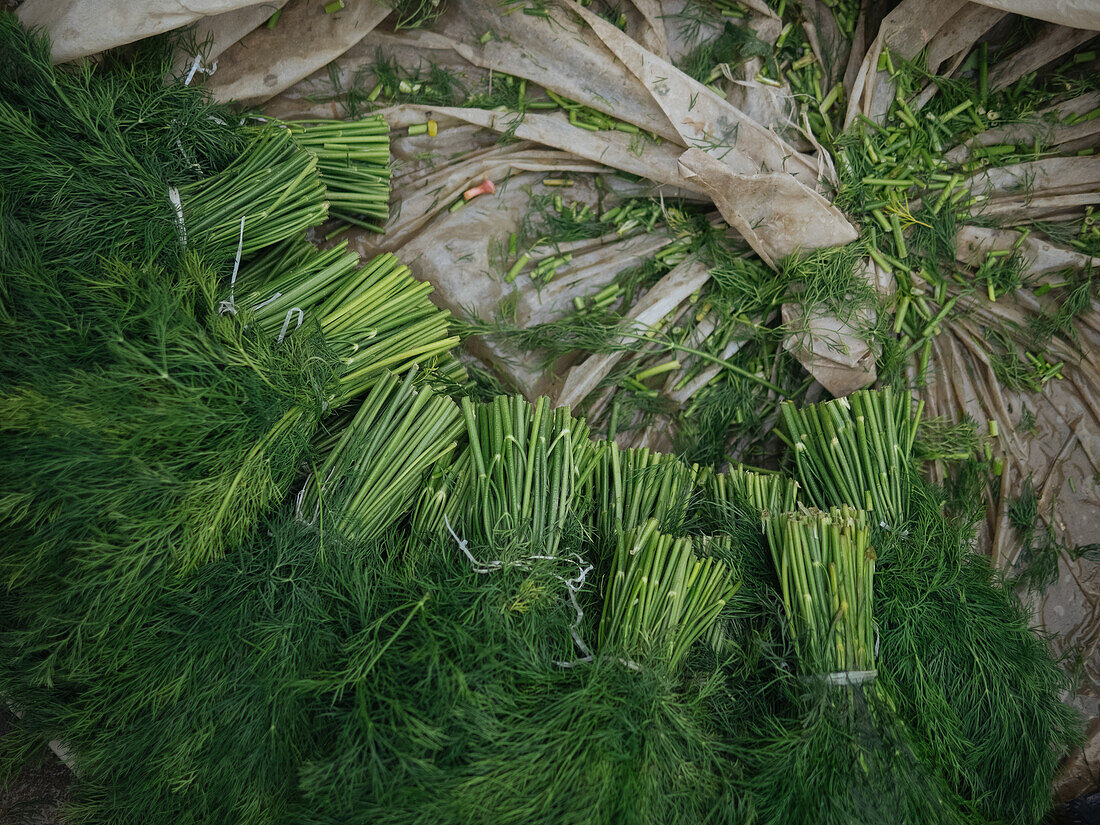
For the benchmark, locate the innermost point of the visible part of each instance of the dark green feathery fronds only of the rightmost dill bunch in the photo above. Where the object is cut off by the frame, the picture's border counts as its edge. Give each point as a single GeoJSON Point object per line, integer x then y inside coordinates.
{"type": "Point", "coordinates": [972, 674]}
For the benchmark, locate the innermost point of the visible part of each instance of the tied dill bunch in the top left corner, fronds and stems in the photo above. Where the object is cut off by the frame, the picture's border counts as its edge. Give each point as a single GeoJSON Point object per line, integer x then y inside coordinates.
{"type": "Point", "coordinates": [109, 161]}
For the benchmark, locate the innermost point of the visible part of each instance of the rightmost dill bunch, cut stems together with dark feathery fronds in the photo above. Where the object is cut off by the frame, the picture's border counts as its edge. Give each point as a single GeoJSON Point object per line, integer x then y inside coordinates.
{"type": "Point", "coordinates": [950, 630]}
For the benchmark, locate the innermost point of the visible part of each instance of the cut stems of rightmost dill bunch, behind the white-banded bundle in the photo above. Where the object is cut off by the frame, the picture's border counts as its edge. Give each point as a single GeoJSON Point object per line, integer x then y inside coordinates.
{"type": "Point", "coordinates": [856, 452]}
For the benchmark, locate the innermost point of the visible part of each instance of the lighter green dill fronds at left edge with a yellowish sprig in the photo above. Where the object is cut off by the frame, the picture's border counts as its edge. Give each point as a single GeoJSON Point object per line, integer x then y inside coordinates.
{"type": "Point", "coordinates": [146, 458]}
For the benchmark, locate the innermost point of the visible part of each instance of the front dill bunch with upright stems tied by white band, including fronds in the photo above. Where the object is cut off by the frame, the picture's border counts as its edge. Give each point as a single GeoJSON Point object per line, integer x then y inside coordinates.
{"type": "Point", "coordinates": [835, 750]}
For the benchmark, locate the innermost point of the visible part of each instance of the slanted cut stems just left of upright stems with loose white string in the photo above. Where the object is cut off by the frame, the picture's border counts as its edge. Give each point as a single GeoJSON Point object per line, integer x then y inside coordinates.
{"type": "Point", "coordinates": [377, 469]}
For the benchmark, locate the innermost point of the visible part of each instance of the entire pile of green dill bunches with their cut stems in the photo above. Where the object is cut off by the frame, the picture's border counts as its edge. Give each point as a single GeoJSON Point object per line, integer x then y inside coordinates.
{"type": "Point", "coordinates": [260, 567]}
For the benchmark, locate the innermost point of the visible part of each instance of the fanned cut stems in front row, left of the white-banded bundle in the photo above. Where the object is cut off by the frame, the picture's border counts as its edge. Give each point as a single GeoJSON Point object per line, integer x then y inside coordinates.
{"type": "Point", "coordinates": [662, 598]}
